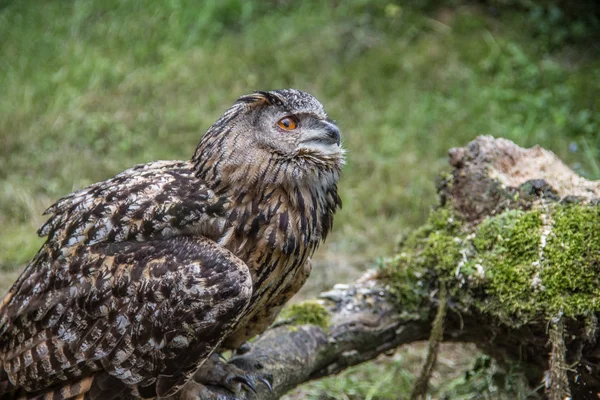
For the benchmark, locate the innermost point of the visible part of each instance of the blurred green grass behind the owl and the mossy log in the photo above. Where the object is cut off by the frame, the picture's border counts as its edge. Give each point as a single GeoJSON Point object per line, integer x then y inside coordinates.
{"type": "Point", "coordinates": [89, 88]}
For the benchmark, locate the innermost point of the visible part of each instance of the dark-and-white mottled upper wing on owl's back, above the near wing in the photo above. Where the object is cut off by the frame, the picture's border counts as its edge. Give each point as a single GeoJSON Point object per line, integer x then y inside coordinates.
{"type": "Point", "coordinates": [149, 201]}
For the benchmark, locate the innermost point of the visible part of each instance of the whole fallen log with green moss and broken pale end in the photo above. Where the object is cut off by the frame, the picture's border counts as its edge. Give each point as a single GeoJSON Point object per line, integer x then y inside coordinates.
{"type": "Point", "coordinates": [515, 245]}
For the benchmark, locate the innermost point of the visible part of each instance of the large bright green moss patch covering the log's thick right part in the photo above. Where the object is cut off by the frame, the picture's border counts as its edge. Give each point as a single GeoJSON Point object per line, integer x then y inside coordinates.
{"type": "Point", "coordinates": [517, 266]}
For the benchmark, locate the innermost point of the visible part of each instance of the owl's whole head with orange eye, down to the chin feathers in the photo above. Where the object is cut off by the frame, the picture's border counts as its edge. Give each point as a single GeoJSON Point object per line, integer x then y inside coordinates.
{"type": "Point", "coordinates": [286, 130]}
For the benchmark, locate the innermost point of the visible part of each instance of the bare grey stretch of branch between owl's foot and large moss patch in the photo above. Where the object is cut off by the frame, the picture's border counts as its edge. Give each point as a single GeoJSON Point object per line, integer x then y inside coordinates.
{"type": "Point", "coordinates": [363, 325]}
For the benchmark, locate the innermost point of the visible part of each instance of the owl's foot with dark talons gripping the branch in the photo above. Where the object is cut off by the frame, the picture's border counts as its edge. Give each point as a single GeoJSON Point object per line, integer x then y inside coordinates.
{"type": "Point", "coordinates": [216, 372]}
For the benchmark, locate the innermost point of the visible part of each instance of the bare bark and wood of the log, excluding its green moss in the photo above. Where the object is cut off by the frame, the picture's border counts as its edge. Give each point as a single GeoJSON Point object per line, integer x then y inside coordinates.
{"type": "Point", "coordinates": [488, 177]}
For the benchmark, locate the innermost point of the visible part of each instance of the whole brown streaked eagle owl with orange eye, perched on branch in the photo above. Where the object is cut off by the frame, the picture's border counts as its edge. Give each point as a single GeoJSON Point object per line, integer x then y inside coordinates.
{"type": "Point", "coordinates": [145, 276]}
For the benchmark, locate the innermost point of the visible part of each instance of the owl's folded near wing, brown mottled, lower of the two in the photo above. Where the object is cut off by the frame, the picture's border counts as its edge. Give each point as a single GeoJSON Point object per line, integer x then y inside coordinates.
{"type": "Point", "coordinates": [145, 313]}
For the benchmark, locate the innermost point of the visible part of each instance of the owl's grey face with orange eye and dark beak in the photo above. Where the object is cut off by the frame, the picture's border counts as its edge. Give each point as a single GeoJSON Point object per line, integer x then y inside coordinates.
{"type": "Point", "coordinates": [292, 123]}
